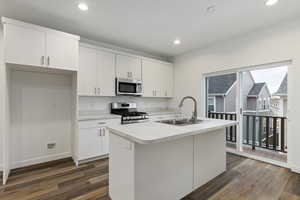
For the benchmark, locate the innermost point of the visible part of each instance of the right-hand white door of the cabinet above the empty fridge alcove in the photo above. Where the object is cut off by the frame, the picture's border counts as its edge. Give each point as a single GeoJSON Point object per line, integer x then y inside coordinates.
{"type": "Point", "coordinates": [62, 51]}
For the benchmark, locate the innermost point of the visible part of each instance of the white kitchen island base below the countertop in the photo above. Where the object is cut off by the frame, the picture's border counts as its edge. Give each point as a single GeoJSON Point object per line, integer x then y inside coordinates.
{"type": "Point", "coordinates": [166, 170]}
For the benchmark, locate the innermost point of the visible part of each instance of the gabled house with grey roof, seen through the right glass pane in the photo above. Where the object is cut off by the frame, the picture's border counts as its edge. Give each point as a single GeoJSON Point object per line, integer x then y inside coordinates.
{"type": "Point", "coordinates": [259, 99]}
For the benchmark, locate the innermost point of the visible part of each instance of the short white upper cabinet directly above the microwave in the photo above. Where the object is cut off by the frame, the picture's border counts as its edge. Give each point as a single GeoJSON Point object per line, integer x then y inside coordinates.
{"type": "Point", "coordinates": [128, 67]}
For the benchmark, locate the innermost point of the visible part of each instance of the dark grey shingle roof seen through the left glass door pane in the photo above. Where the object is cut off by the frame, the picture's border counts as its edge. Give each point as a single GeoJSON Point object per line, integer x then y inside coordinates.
{"type": "Point", "coordinates": [221, 84]}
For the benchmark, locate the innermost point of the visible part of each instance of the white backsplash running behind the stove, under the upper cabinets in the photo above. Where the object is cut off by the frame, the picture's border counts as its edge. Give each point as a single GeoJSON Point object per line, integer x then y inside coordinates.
{"type": "Point", "coordinates": [96, 105]}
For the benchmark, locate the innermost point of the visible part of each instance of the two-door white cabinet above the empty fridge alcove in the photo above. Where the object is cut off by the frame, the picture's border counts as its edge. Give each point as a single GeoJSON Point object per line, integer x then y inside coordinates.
{"type": "Point", "coordinates": [27, 44]}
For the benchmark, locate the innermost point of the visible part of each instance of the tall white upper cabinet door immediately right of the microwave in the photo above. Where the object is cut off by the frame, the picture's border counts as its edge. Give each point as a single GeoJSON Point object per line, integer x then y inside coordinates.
{"type": "Point", "coordinates": [149, 78]}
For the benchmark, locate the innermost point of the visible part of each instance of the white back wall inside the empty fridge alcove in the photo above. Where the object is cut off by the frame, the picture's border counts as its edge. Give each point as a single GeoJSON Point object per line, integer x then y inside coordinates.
{"type": "Point", "coordinates": [41, 113]}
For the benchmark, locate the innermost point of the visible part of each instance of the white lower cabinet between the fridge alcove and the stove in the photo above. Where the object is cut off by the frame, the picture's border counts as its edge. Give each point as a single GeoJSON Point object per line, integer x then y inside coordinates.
{"type": "Point", "coordinates": [93, 141]}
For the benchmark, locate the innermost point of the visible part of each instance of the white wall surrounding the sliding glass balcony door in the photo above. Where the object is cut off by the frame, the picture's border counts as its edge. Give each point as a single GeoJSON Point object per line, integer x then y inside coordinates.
{"type": "Point", "coordinates": [273, 44]}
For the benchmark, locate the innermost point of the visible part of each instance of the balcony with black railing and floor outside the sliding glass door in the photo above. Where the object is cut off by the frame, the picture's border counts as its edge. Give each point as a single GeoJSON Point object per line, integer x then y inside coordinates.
{"type": "Point", "coordinates": [263, 136]}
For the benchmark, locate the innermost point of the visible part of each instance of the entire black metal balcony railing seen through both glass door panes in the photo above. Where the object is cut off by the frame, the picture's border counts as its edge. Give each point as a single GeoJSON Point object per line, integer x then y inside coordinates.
{"type": "Point", "coordinates": [267, 132]}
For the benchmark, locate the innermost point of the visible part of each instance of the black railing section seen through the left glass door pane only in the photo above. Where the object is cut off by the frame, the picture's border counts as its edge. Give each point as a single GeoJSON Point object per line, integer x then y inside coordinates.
{"type": "Point", "coordinates": [230, 131]}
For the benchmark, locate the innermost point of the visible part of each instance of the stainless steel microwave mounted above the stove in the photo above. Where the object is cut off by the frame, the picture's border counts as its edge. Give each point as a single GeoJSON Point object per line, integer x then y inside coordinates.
{"type": "Point", "coordinates": [129, 87]}
